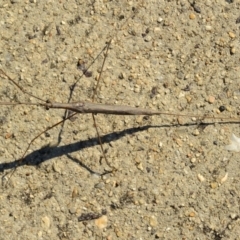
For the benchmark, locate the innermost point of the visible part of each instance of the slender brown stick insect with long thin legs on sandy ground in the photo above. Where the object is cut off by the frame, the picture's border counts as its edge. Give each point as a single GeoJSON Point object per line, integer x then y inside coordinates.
{"type": "Point", "coordinates": [96, 108]}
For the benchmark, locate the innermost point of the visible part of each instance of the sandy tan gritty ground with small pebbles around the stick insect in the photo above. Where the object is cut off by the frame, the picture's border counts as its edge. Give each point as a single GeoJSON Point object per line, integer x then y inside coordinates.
{"type": "Point", "coordinates": [154, 59]}
